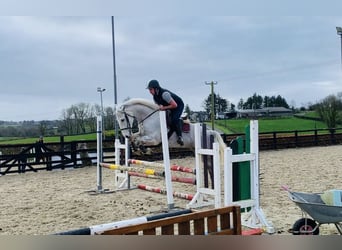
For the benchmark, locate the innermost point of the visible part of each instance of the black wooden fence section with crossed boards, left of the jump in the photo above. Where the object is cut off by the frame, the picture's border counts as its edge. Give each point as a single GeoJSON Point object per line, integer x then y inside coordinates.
{"type": "Point", "coordinates": [21, 158]}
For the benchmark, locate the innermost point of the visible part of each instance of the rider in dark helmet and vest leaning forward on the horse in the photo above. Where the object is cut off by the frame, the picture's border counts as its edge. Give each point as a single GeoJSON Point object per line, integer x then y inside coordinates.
{"type": "Point", "coordinates": [168, 101]}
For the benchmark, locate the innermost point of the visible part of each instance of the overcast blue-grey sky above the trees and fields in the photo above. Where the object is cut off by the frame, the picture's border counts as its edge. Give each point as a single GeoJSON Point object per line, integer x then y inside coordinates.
{"type": "Point", "coordinates": [51, 63]}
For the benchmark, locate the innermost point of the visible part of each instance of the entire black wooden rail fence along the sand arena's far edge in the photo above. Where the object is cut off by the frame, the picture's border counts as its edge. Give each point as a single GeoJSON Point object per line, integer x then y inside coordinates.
{"type": "Point", "coordinates": [21, 158]}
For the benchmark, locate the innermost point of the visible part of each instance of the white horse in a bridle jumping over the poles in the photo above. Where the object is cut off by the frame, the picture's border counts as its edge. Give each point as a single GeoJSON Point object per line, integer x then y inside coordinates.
{"type": "Point", "coordinates": [139, 121]}
